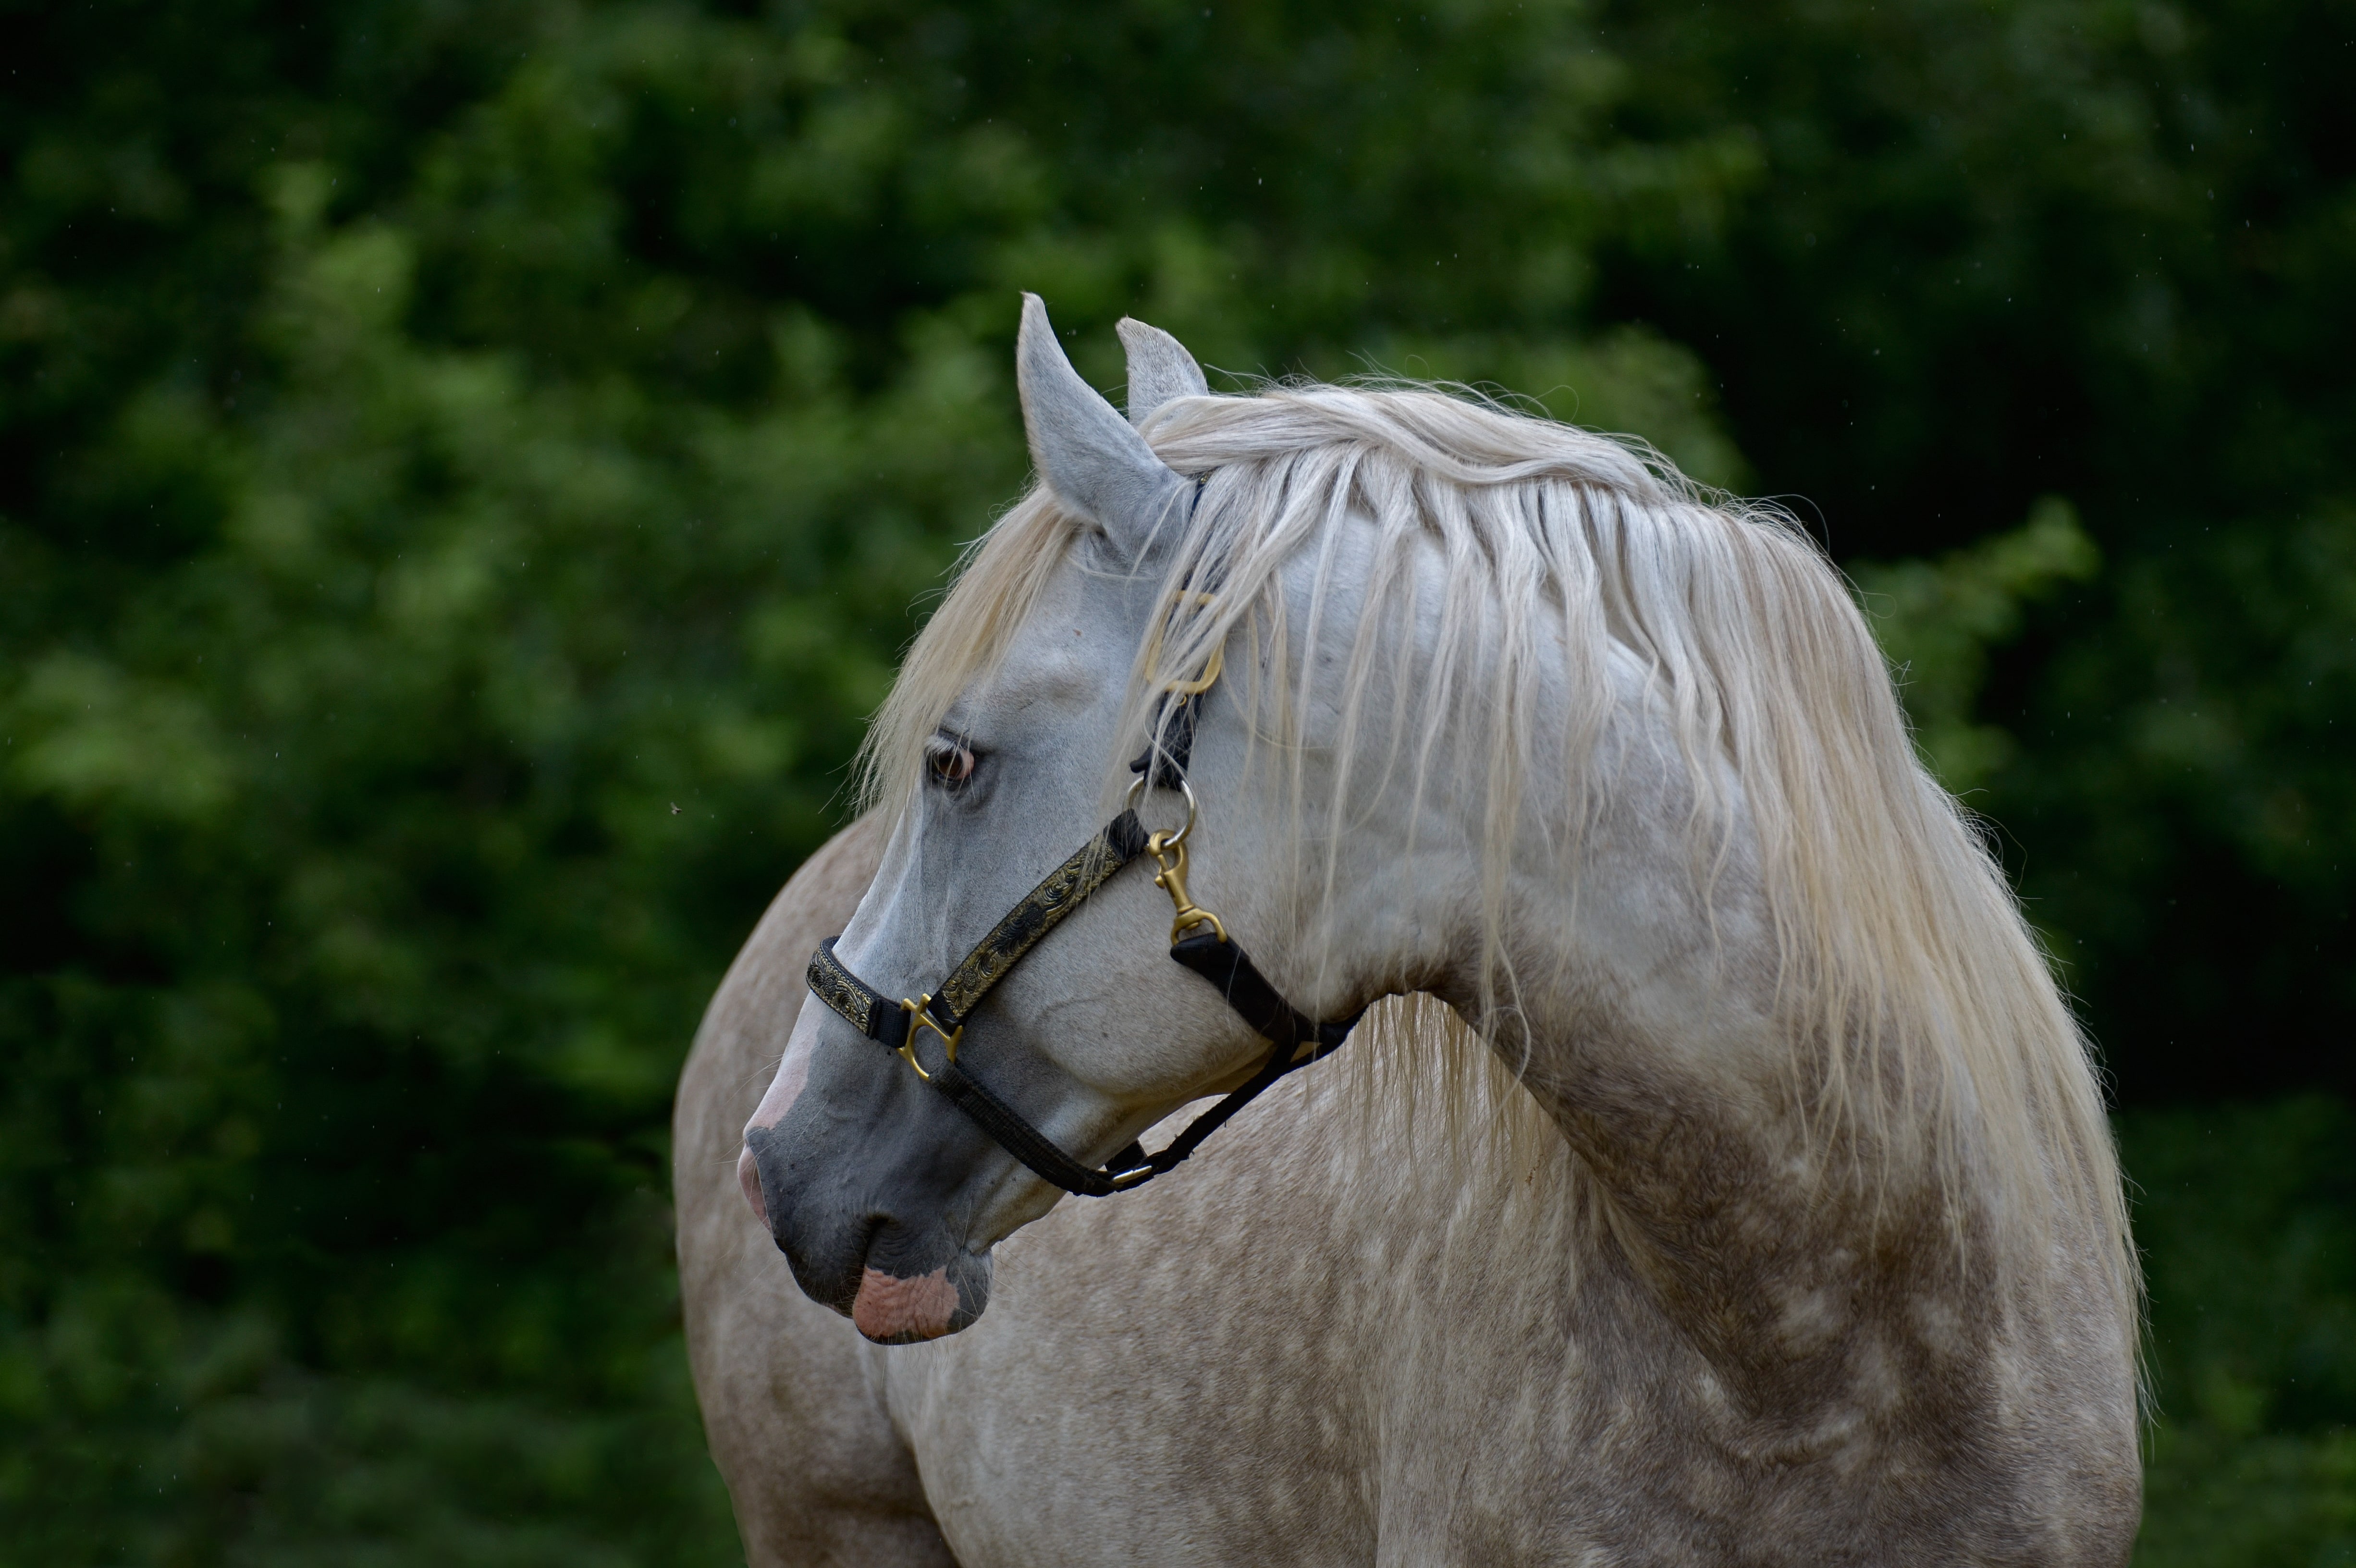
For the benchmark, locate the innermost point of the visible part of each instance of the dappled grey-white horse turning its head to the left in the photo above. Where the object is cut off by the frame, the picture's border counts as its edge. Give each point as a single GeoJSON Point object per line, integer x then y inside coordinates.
{"type": "Point", "coordinates": [1771, 1218]}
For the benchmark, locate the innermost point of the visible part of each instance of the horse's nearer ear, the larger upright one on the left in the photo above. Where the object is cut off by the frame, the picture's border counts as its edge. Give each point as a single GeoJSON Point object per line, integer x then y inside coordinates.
{"type": "Point", "coordinates": [1085, 453]}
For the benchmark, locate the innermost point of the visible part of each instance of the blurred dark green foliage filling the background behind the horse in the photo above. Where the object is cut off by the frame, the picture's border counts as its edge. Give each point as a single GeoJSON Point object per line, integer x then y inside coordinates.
{"type": "Point", "coordinates": [468, 472]}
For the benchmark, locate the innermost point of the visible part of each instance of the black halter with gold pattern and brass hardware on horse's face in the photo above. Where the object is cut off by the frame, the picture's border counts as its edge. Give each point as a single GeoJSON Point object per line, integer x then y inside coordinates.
{"type": "Point", "coordinates": [1205, 948]}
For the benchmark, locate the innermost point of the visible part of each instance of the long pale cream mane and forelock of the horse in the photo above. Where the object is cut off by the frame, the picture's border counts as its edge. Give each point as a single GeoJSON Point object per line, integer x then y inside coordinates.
{"type": "Point", "coordinates": [1924, 1016]}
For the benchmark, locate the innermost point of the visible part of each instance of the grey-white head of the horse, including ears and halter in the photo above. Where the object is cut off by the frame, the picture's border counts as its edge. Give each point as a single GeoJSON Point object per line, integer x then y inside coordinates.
{"type": "Point", "coordinates": [944, 1065]}
